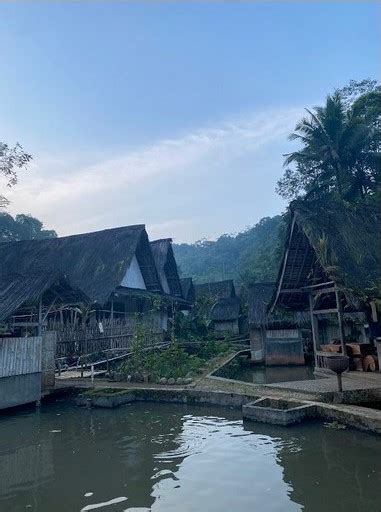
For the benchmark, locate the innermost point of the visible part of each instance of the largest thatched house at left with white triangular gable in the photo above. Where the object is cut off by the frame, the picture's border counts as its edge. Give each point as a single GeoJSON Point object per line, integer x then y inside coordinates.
{"type": "Point", "coordinates": [93, 279]}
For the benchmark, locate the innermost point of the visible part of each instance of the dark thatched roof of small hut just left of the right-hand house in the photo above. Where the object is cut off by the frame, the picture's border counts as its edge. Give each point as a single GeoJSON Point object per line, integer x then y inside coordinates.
{"type": "Point", "coordinates": [259, 300]}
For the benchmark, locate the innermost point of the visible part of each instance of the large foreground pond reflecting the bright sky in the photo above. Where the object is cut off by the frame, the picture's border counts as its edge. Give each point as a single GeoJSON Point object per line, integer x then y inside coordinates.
{"type": "Point", "coordinates": [171, 458]}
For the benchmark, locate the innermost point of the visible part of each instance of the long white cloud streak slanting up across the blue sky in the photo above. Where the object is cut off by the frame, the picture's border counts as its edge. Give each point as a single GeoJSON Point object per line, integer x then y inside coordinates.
{"type": "Point", "coordinates": [73, 197]}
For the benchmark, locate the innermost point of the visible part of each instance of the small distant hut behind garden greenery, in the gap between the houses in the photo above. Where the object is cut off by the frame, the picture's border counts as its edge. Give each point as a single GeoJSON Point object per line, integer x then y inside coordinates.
{"type": "Point", "coordinates": [225, 315]}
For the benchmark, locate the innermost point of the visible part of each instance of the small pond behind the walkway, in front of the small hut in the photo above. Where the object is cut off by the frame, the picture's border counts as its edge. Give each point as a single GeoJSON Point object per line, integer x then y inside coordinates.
{"type": "Point", "coordinates": [240, 369]}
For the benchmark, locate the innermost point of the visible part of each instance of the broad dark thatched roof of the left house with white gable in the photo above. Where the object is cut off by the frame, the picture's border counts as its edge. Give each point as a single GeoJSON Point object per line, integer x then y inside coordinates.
{"type": "Point", "coordinates": [93, 263]}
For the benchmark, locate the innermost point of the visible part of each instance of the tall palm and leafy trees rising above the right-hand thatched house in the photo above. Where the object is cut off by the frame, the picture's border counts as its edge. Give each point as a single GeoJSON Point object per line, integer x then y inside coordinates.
{"type": "Point", "coordinates": [341, 146]}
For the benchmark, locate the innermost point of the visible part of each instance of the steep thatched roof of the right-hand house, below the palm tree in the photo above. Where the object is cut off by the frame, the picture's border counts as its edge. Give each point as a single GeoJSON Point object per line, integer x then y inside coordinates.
{"type": "Point", "coordinates": [330, 241]}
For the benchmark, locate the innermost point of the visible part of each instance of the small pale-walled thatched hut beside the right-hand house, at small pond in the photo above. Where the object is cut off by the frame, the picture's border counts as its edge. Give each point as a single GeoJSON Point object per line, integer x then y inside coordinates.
{"type": "Point", "coordinates": [277, 338]}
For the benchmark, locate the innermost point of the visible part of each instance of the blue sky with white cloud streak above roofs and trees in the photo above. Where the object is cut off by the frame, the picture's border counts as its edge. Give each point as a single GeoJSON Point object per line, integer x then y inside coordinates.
{"type": "Point", "coordinates": [173, 115]}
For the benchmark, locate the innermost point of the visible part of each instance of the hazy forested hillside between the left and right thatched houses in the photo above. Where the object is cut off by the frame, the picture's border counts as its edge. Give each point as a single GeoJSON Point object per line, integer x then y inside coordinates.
{"type": "Point", "coordinates": [250, 256]}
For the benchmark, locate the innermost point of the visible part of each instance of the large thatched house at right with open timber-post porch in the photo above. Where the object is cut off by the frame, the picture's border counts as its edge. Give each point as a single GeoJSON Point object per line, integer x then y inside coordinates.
{"type": "Point", "coordinates": [332, 268]}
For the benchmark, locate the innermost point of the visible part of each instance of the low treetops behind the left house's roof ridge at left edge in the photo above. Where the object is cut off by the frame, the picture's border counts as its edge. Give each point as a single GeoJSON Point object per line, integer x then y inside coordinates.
{"type": "Point", "coordinates": [22, 227]}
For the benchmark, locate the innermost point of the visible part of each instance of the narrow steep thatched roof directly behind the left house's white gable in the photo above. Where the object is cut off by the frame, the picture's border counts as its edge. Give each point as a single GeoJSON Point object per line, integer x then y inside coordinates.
{"type": "Point", "coordinates": [166, 266]}
